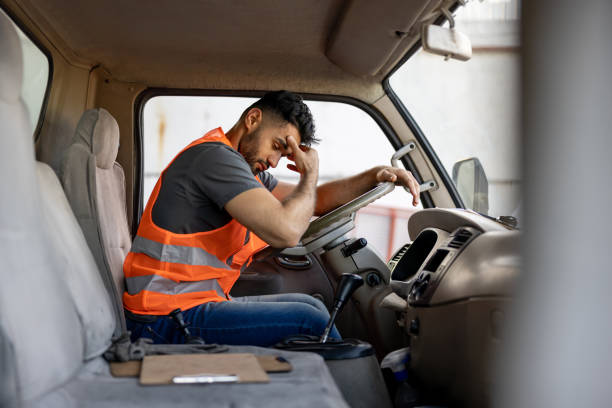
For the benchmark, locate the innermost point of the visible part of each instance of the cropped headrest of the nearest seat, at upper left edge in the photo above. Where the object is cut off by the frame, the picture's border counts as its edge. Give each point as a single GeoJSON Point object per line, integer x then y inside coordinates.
{"type": "Point", "coordinates": [11, 63]}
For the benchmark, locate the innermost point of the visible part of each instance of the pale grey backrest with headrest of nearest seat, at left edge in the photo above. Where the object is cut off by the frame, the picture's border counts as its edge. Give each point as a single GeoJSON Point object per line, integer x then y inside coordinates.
{"type": "Point", "coordinates": [35, 303]}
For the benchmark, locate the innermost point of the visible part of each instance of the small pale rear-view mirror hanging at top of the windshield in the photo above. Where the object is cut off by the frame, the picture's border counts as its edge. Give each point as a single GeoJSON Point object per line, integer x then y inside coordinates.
{"type": "Point", "coordinates": [447, 42]}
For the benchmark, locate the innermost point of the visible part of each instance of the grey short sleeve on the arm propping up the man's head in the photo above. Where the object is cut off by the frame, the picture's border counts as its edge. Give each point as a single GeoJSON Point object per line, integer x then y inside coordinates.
{"type": "Point", "coordinates": [221, 173]}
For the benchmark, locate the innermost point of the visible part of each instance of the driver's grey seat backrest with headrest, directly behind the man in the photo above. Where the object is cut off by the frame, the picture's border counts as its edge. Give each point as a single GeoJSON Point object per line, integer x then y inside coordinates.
{"type": "Point", "coordinates": [94, 184]}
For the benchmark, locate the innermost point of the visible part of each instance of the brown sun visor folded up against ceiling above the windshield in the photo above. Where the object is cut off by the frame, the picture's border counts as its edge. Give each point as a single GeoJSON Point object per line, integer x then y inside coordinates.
{"type": "Point", "coordinates": [369, 33]}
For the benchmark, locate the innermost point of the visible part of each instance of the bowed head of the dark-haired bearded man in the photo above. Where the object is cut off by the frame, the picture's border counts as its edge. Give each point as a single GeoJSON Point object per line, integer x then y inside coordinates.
{"type": "Point", "coordinates": [268, 122]}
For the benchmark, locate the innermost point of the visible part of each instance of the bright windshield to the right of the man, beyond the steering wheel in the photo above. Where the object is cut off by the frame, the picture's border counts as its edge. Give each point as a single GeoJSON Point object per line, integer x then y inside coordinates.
{"type": "Point", "coordinates": [468, 111]}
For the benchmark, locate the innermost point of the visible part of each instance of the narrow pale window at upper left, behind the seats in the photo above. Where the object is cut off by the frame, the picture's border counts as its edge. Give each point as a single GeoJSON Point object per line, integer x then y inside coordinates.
{"type": "Point", "coordinates": [35, 77]}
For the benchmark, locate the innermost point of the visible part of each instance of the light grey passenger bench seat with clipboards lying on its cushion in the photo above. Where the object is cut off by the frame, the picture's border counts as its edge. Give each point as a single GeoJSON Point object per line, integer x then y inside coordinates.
{"type": "Point", "coordinates": [56, 316]}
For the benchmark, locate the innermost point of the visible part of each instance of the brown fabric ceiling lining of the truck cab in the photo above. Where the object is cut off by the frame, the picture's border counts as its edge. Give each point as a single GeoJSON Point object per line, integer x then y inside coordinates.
{"type": "Point", "coordinates": [194, 54]}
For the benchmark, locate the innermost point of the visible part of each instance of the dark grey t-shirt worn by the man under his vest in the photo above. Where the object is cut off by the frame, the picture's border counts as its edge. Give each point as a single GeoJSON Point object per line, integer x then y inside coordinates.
{"type": "Point", "coordinates": [198, 184]}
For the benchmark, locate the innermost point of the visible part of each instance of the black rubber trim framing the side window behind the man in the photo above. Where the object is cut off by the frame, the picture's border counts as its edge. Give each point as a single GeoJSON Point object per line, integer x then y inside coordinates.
{"type": "Point", "coordinates": [150, 93]}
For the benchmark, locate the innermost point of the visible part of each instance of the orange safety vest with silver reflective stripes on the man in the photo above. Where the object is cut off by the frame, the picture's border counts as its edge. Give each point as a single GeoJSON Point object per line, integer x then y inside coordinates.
{"type": "Point", "coordinates": [165, 270]}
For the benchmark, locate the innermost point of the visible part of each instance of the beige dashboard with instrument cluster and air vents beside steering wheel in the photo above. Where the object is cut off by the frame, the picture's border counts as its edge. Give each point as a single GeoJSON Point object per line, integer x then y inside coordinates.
{"type": "Point", "coordinates": [456, 254]}
